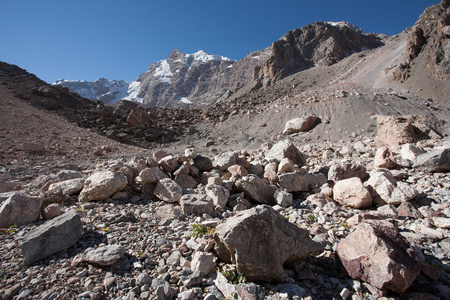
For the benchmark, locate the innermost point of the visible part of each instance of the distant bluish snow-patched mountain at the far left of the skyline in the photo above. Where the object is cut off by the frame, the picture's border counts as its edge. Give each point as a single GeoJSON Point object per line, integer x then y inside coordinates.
{"type": "Point", "coordinates": [102, 89]}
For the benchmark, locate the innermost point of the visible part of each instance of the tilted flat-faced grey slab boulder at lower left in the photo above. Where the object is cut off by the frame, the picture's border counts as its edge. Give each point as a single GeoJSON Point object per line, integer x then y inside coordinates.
{"type": "Point", "coordinates": [51, 237]}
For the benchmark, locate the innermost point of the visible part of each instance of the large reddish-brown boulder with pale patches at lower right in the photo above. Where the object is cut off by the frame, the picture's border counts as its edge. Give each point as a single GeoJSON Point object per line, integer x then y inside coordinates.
{"type": "Point", "coordinates": [376, 253]}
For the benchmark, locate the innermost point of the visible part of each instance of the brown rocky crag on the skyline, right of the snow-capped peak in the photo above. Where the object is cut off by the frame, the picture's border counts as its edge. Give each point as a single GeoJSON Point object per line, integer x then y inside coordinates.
{"type": "Point", "coordinates": [317, 44]}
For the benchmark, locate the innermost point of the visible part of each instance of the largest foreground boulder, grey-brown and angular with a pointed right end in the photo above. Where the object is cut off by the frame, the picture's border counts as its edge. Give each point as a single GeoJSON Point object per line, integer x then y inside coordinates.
{"type": "Point", "coordinates": [261, 242]}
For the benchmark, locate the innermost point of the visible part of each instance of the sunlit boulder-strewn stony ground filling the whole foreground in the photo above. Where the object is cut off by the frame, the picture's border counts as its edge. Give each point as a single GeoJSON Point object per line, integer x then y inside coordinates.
{"type": "Point", "coordinates": [357, 219]}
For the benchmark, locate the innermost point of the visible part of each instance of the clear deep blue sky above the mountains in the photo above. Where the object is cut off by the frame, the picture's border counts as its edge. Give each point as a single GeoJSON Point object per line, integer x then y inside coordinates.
{"type": "Point", "coordinates": [118, 39]}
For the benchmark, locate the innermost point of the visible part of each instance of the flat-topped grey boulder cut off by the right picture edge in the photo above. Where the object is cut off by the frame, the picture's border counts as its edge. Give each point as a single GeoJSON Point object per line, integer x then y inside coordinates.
{"type": "Point", "coordinates": [436, 161]}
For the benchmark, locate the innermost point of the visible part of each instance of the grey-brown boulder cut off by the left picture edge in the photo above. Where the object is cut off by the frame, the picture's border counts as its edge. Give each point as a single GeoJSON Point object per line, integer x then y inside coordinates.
{"type": "Point", "coordinates": [19, 209]}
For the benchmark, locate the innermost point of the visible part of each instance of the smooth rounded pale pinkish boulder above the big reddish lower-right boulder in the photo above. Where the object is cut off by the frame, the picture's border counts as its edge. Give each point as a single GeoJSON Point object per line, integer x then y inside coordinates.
{"type": "Point", "coordinates": [351, 192]}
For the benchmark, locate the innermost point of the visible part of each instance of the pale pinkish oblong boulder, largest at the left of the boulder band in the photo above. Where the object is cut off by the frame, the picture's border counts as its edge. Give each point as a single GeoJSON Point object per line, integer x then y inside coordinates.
{"type": "Point", "coordinates": [101, 185]}
